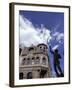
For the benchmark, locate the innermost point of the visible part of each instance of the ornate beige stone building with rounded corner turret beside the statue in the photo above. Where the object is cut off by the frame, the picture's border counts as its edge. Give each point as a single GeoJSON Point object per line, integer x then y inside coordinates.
{"type": "Point", "coordinates": [34, 62]}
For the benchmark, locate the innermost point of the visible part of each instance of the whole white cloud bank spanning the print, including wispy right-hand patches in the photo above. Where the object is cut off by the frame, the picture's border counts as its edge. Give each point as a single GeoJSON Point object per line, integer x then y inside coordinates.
{"type": "Point", "coordinates": [31, 35]}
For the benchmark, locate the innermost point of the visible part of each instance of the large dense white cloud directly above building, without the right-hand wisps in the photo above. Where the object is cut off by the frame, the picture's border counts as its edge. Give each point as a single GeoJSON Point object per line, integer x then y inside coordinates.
{"type": "Point", "coordinates": [30, 35]}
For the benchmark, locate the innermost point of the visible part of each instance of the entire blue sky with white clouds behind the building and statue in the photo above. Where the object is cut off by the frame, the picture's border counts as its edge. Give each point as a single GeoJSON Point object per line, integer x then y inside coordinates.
{"type": "Point", "coordinates": [43, 27]}
